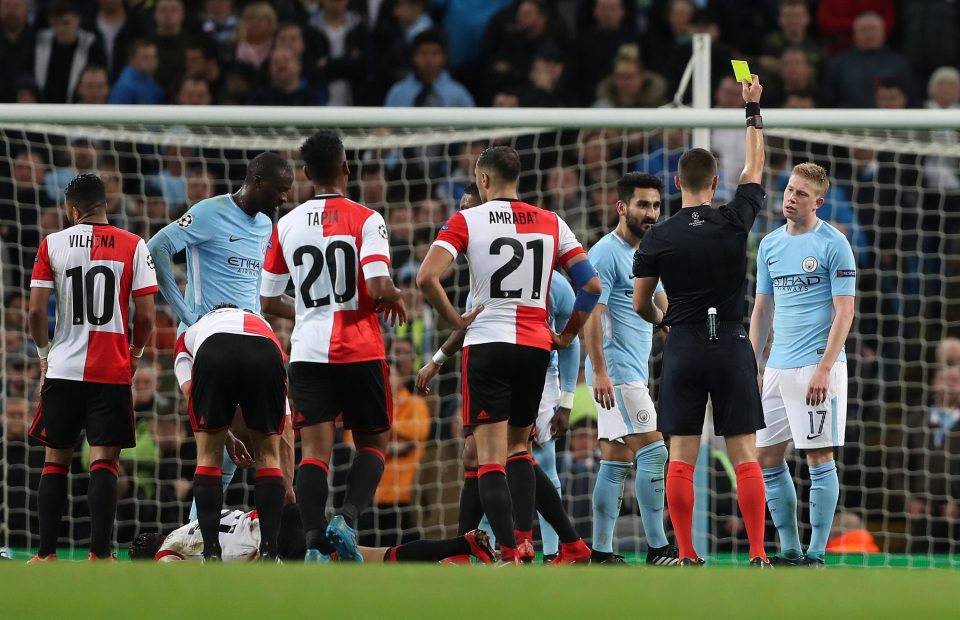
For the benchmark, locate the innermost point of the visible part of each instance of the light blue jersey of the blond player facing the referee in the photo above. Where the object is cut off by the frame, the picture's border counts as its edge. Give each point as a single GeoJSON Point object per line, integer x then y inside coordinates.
{"type": "Point", "coordinates": [804, 273]}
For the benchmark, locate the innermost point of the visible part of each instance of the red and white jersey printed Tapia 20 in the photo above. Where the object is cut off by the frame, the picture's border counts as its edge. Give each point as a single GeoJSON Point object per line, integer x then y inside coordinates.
{"type": "Point", "coordinates": [330, 245]}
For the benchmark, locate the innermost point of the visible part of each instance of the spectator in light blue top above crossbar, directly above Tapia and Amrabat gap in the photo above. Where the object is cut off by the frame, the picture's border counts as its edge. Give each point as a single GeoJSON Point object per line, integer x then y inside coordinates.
{"type": "Point", "coordinates": [429, 85]}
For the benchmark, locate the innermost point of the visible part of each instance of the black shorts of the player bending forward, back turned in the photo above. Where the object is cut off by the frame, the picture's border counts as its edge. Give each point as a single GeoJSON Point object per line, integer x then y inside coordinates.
{"type": "Point", "coordinates": [231, 370]}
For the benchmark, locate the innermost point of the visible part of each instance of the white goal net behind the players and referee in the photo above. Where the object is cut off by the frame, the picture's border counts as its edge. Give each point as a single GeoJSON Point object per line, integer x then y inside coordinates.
{"type": "Point", "coordinates": [894, 193]}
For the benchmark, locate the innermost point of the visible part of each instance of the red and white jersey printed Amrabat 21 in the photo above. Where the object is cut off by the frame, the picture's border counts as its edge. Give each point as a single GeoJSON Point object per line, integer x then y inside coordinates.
{"type": "Point", "coordinates": [512, 248]}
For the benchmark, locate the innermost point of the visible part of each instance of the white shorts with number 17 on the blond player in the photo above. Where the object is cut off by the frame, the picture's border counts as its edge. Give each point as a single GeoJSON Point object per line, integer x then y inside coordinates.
{"type": "Point", "coordinates": [788, 416]}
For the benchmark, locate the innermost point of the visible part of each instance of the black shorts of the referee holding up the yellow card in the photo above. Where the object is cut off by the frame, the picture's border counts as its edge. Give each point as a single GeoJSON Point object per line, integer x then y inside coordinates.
{"type": "Point", "coordinates": [725, 370]}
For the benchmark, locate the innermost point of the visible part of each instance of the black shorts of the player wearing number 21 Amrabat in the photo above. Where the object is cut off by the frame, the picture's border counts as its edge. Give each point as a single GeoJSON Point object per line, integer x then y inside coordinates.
{"type": "Point", "coordinates": [503, 382]}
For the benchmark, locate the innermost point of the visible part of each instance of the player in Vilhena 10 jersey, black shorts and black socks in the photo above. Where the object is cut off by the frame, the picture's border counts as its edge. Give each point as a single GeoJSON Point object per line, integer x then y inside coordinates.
{"type": "Point", "coordinates": [95, 270]}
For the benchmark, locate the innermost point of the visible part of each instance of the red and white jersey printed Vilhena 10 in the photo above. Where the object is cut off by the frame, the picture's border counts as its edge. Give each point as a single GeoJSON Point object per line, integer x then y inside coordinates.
{"type": "Point", "coordinates": [94, 270]}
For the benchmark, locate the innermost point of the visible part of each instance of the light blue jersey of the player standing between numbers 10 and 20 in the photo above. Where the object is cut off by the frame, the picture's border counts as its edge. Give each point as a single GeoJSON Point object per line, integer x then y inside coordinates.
{"type": "Point", "coordinates": [225, 250]}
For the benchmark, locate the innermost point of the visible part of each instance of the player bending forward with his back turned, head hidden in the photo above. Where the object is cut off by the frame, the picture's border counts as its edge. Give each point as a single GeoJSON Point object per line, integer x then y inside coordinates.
{"type": "Point", "coordinates": [231, 358]}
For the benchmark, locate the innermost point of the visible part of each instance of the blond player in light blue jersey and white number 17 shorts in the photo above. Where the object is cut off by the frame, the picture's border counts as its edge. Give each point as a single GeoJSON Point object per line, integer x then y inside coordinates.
{"type": "Point", "coordinates": [806, 283]}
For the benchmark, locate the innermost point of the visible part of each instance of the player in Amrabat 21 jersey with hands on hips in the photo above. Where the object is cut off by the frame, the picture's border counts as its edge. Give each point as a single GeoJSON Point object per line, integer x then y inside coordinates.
{"type": "Point", "coordinates": [512, 248]}
